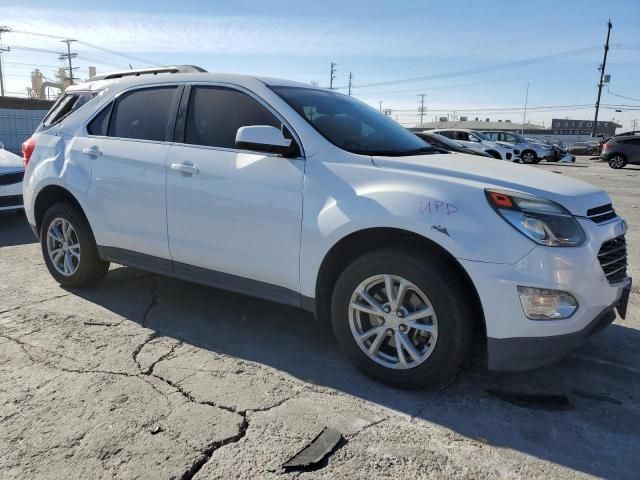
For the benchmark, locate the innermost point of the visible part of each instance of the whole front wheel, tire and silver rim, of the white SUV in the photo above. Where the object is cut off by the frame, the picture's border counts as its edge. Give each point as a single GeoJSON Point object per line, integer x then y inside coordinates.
{"type": "Point", "coordinates": [402, 318]}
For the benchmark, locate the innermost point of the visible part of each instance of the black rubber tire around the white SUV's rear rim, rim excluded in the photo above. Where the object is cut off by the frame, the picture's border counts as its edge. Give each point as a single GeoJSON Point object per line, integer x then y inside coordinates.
{"type": "Point", "coordinates": [91, 268]}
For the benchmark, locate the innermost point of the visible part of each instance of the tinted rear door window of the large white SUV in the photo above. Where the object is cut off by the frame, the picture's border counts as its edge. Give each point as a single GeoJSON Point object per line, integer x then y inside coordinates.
{"type": "Point", "coordinates": [142, 114]}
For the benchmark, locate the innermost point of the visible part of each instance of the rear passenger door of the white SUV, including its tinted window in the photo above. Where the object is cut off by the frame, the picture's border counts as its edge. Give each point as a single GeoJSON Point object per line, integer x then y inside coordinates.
{"type": "Point", "coordinates": [127, 148]}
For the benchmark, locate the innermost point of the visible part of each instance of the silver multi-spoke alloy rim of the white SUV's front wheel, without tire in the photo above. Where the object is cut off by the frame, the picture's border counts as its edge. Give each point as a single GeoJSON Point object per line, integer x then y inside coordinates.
{"type": "Point", "coordinates": [393, 321]}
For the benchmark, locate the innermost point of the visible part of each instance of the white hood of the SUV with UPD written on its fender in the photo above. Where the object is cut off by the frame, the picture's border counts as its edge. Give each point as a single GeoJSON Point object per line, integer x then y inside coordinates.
{"type": "Point", "coordinates": [575, 195]}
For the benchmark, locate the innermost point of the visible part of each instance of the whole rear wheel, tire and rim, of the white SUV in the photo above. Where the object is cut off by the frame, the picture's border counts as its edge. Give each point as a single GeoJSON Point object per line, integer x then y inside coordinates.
{"type": "Point", "coordinates": [69, 248]}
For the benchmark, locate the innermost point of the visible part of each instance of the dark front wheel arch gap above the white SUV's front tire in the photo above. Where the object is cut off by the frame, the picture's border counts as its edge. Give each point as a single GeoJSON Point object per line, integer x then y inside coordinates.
{"type": "Point", "coordinates": [356, 243]}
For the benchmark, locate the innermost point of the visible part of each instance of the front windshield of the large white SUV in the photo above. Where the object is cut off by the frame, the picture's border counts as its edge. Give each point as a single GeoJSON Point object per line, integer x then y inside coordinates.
{"type": "Point", "coordinates": [351, 124]}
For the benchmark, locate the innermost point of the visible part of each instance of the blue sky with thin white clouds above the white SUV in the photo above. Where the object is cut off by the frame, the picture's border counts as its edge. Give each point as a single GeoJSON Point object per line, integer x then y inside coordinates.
{"type": "Point", "coordinates": [468, 58]}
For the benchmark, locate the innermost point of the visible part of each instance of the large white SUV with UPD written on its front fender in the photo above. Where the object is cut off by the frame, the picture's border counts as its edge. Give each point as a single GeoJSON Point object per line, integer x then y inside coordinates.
{"type": "Point", "coordinates": [311, 198]}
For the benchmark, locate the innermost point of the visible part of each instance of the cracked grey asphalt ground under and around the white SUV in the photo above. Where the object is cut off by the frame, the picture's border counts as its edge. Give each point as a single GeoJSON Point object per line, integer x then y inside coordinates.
{"type": "Point", "coordinates": [151, 377]}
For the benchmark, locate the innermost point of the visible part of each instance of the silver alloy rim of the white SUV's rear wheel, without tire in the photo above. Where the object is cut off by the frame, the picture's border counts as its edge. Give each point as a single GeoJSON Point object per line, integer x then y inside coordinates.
{"type": "Point", "coordinates": [63, 246]}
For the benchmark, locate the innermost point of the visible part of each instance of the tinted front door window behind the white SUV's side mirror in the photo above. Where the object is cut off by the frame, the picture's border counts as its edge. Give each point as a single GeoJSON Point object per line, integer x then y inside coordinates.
{"type": "Point", "coordinates": [215, 115]}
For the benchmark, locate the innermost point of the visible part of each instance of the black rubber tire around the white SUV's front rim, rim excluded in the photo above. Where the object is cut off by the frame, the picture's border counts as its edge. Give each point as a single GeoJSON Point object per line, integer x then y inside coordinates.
{"type": "Point", "coordinates": [441, 283]}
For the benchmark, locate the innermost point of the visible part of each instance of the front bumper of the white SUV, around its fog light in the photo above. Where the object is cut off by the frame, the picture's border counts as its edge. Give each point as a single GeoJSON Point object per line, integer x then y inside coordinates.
{"type": "Point", "coordinates": [518, 343]}
